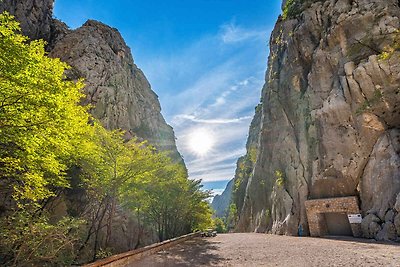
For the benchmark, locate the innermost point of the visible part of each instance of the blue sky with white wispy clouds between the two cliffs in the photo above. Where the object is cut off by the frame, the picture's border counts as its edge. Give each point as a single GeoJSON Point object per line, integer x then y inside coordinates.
{"type": "Point", "coordinates": [205, 59]}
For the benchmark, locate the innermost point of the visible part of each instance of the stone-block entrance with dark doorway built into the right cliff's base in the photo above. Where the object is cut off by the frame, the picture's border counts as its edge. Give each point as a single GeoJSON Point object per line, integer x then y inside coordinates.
{"type": "Point", "coordinates": [328, 216]}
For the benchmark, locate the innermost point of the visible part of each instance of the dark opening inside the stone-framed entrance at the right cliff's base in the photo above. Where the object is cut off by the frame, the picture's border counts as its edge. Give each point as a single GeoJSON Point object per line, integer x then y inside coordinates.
{"type": "Point", "coordinates": [338, 224]}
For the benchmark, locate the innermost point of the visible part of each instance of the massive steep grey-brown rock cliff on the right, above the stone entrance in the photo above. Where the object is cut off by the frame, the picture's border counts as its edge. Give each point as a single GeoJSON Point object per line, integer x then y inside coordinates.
{"type": "Point", "coordinates": [330, 123]}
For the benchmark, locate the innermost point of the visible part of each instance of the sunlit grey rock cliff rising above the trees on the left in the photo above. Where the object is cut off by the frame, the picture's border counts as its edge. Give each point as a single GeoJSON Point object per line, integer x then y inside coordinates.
{"type": "Point", "coordinates": [117, 89]}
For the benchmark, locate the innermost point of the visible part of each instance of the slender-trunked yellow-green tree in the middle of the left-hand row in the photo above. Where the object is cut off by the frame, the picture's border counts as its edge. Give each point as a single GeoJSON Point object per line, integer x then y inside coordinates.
{"type": "Point", "coordinates": [111, 169]}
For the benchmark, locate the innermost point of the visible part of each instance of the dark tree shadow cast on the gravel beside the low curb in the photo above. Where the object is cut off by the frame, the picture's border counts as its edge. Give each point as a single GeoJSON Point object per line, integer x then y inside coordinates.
{"type": "Point", "coordinates": [197, 252]}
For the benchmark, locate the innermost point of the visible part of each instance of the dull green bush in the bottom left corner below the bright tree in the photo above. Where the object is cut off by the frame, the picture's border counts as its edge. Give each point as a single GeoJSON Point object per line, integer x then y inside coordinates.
{"type": "Point", "coordinates": [33, 241]}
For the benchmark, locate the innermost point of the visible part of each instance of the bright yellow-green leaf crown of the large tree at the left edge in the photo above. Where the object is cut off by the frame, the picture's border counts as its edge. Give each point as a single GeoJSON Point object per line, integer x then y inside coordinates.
{"type": "Point", "coordinates": [41, 122]}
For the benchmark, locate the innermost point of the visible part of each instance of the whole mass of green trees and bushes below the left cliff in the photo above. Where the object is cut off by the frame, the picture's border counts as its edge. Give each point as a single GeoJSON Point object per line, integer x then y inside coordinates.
{"type": "Point", "coordinates": [50, 144]}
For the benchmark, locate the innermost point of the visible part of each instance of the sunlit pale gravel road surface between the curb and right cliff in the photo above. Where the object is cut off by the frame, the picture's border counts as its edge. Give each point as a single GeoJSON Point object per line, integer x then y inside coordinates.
{"type": "Point", "coordinates": [273, 250]}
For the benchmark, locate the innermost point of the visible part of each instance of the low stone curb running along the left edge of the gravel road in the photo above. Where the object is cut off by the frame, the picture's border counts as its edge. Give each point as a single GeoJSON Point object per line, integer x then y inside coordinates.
{"type": "Point", "coordinates": [129, 257]}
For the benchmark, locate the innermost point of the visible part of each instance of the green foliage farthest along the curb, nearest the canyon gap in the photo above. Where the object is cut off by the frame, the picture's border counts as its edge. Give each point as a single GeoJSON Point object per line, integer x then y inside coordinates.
{"type": "Point", "coordinates": [169, 201]}
